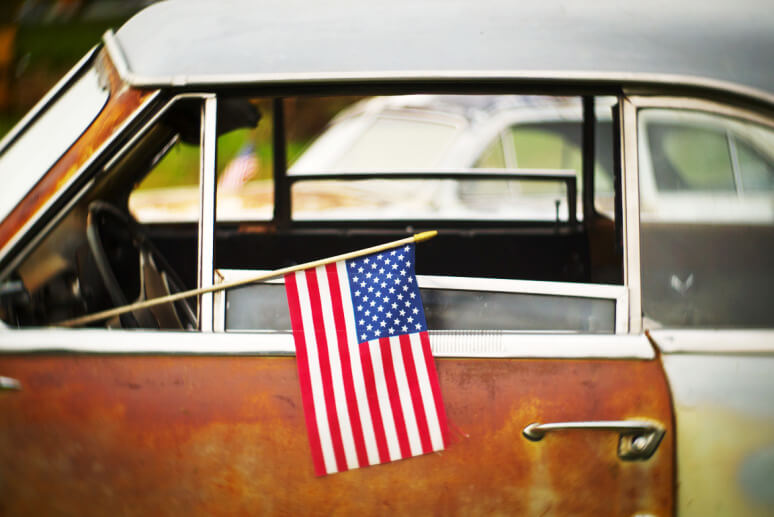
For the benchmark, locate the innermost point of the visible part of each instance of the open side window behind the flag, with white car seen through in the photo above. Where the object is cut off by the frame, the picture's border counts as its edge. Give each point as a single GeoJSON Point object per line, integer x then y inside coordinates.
{"type": "Point", "coordinates": [384, 166]}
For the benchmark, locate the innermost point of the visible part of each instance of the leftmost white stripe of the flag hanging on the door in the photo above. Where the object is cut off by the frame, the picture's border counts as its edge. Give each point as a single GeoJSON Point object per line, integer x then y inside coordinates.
{"type": "Point", "coordinates": [318, 395]}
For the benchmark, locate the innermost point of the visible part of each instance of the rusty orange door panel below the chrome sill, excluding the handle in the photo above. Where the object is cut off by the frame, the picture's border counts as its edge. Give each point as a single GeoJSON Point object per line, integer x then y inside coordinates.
{"type": "Point", "coordinates": [183, 435]}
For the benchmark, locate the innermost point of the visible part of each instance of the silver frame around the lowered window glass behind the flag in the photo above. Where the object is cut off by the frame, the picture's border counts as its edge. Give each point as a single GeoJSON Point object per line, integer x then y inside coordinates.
{"type": "Point", "coordinates": [617, 293]}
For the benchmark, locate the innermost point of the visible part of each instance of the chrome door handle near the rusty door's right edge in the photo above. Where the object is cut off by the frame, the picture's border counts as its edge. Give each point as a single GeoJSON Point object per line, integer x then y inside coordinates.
{"type": "Point", "coordinates": [638, 440]}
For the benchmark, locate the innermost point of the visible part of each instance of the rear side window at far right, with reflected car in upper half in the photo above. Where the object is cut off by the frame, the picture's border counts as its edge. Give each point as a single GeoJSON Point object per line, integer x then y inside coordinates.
{"type": "Point", "coordinates": [707, 219]}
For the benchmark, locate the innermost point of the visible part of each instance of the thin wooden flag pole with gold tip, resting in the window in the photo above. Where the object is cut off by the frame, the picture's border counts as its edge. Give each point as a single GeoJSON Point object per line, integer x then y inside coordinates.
{"type": "Point", "coordinates": [102, 315]}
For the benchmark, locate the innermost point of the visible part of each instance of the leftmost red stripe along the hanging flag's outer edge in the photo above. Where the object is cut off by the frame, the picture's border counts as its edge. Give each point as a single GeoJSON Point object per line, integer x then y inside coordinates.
{"type": "Point", "coordinates": [302, 362]}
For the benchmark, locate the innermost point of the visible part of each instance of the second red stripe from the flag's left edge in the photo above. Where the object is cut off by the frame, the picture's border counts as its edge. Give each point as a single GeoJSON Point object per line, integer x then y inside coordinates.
{"type": "Point", "coordinates": [325, 368]}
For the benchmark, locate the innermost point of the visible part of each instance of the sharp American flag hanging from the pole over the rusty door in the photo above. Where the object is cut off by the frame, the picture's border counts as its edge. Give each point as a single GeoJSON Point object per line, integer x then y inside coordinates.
{"type": "Point", "coordinates": [368, 381]}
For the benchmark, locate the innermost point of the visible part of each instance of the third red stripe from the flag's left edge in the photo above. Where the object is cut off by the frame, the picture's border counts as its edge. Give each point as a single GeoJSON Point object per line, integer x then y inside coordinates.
{"type": "Point", "coordinates": [346, 364]}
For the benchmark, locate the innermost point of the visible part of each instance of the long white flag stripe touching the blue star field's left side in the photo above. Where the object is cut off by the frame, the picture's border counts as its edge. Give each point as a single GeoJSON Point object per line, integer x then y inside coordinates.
{"type": "Point", "coordinates": [357, 365]}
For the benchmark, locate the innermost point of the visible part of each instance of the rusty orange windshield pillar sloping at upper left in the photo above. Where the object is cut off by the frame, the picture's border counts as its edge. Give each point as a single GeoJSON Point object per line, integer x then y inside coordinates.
{"type": "Point", "coordinates": [123, 102]}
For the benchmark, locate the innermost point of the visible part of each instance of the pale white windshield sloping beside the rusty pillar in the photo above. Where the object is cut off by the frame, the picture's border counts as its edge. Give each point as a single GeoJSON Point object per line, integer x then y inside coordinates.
{"type": "Point", "coordinates": [49, 136]}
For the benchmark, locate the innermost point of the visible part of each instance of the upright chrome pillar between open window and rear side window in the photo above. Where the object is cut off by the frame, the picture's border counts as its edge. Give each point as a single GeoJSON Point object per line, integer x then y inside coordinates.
{"type": "Point", "coordinates": [631, 213]}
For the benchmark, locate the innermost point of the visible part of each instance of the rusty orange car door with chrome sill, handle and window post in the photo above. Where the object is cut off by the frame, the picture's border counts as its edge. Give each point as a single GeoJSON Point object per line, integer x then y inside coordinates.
{"type": "Point", "coordinates": [547, 418]}
